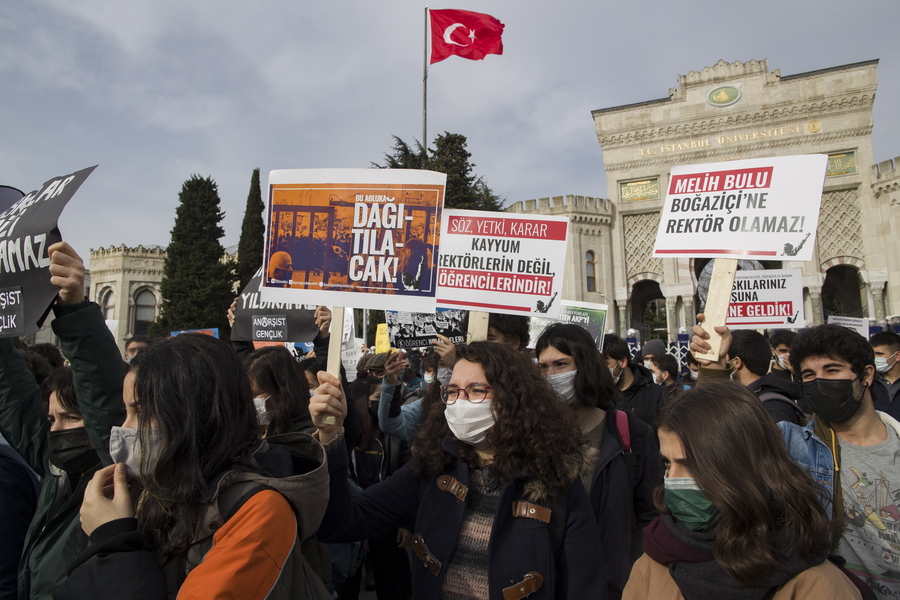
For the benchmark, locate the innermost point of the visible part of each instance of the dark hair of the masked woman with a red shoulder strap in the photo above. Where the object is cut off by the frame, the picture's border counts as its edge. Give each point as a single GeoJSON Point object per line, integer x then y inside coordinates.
{"type": "Point", "coordinates": [593, 382]}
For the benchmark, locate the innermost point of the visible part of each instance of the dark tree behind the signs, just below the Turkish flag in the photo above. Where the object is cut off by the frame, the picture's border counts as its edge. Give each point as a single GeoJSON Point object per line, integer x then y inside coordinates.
{"type": "Point", "coordinates": [450, 156]}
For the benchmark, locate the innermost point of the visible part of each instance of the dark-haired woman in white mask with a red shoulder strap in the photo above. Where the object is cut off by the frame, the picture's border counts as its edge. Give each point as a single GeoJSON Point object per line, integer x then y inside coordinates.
{"type": "Point", "coordinates": [623, 463]}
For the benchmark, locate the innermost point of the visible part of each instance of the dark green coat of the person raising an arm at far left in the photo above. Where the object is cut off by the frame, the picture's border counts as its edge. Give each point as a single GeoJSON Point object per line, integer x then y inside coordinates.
{"type": "Point", "coordinates": [55, 537]}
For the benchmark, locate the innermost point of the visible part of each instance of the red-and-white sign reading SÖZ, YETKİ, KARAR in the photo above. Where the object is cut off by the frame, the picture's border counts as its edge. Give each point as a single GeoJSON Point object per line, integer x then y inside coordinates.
{"type": "Point", "coordinates": [502, 263]}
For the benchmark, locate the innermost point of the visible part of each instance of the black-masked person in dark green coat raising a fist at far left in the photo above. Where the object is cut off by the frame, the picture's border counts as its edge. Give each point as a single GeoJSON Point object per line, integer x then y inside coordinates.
{"type": "Point", "coordinates": [69, 442]}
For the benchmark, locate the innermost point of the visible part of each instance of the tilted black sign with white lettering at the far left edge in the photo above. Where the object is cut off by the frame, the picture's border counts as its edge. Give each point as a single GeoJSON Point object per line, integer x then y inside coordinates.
{"type": "Point", "coordinates": [27, 229]}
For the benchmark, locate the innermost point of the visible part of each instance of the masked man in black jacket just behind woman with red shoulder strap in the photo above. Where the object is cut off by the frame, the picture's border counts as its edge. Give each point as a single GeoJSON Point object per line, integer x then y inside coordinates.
{"type": "Point", "coordinates": [638, 394]}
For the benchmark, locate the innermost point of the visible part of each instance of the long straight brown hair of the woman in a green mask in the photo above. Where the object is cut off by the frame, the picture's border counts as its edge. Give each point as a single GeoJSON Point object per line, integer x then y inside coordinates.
{"type": "Point", "coordinates": [770, 508]}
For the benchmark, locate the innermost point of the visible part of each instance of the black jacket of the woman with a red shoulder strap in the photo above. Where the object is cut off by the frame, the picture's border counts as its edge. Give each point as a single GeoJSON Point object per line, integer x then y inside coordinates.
{"type": "Point", "coordinates": [621, 494]}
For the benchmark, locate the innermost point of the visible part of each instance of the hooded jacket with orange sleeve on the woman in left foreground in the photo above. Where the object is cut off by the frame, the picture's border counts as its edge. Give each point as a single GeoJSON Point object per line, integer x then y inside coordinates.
{"type": "Point", "coordinates": [253, 555]}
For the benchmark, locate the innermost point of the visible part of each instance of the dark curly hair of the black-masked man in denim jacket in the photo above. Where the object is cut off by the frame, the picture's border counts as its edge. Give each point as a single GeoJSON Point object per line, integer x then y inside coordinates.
{"type": "Point", "coordinates": [832, 341]}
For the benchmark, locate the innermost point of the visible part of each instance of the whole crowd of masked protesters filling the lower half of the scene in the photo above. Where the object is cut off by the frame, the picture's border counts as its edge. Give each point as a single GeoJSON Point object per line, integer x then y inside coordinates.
{"type": "Point", "coordinates": [195, 468]}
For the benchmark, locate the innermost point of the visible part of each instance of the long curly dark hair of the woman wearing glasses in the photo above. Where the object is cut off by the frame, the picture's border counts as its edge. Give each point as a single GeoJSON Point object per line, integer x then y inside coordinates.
{"type": "Point", "coordinates": [534, 434]}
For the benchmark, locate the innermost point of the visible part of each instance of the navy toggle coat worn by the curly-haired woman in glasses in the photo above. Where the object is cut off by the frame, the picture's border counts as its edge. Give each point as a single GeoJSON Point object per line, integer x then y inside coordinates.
{"type": "Point", "coordinates": [519, 546]}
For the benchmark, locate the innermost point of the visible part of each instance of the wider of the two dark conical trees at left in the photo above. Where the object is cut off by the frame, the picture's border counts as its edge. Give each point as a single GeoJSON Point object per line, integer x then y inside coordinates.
{"type": "Point", "coordinates": [196, 286]}
